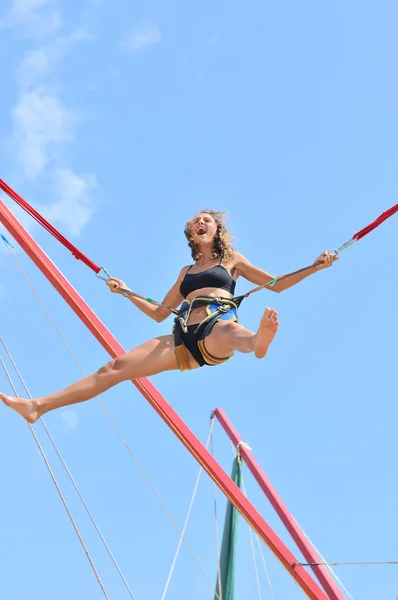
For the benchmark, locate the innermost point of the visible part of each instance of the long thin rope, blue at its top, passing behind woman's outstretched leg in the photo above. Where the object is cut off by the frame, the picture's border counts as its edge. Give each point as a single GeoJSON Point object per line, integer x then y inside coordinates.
{"type": "Point", "coordinates": [117, 430]}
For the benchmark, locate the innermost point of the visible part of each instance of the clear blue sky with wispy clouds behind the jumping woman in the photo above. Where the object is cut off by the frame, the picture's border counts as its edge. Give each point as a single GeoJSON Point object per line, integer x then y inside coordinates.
{"type": "Point", "coordinates": [121, 120]}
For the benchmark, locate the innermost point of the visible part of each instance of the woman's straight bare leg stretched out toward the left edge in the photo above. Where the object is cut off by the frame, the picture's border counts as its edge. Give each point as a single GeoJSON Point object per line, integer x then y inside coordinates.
{"type": "Point", "coordinates": [152, 357]}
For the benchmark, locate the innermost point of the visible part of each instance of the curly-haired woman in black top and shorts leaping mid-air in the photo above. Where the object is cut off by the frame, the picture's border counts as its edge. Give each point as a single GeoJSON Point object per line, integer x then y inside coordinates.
{"type": "Point", "coordinates": [206, 330]}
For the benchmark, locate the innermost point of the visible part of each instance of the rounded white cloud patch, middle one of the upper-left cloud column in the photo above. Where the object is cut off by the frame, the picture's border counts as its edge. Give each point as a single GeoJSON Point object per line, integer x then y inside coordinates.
{"type": "Point", "coordinates": [40, 123]}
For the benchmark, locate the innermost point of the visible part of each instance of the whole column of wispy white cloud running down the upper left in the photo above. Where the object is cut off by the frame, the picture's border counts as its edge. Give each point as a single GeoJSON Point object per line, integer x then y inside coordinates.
{"type": "Point", "coordinates": [42, 125]}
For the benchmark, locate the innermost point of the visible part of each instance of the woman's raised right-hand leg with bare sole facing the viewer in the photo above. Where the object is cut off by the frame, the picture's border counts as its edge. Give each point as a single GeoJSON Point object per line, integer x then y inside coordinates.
{"type": "Point", "coordinates": [228, 337]}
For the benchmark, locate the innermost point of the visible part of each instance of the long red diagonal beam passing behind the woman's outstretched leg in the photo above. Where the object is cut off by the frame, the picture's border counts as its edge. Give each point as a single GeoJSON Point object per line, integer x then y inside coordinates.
{"type": "Point", "coordinates": [156, 400]}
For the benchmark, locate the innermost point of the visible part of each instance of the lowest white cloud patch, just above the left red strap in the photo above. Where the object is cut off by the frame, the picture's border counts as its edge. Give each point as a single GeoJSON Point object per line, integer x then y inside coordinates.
{"type": "Point", "coordinates": [74, 207]}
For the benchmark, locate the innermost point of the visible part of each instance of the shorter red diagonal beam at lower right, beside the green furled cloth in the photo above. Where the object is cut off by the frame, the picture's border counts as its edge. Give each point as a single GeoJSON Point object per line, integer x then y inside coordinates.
{"type": "Point", "coordinates": [287, 518]}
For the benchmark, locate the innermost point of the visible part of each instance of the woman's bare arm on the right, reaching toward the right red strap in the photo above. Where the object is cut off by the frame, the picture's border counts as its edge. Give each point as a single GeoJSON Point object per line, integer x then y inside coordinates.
{"type": "Point", "coordinates": [256, 275]}
